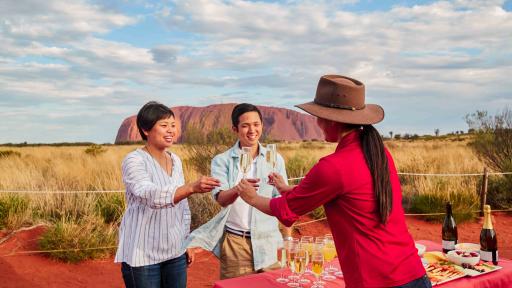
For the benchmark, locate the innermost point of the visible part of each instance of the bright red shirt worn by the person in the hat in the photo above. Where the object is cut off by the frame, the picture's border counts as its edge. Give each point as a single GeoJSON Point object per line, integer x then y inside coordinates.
{"type": "Point", "coordinates": [370, 254]}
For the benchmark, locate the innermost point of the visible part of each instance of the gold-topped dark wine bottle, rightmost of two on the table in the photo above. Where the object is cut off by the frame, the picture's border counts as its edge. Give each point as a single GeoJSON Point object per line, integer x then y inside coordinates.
{"type": "Point", "coordinates": [488, 240]}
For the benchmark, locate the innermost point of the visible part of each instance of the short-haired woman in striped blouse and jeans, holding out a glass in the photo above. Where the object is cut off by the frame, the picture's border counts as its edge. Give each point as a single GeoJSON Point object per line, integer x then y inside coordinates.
{"type": "Point", "coordinates": [157, 218]}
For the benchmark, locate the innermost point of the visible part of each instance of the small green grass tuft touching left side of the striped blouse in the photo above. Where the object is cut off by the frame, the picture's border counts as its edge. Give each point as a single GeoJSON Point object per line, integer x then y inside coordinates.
{"type": "Point", "coordinates": [111, 207]}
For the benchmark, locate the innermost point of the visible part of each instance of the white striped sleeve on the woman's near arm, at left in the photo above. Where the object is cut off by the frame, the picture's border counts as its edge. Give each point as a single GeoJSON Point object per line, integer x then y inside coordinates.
{"type": "Point", "coordinates": [138, 181]}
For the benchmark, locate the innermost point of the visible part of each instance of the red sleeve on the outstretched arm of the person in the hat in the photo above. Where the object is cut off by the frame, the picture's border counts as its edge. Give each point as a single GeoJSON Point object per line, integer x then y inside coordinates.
{"type": "Point", "coordinates": [321, 185]}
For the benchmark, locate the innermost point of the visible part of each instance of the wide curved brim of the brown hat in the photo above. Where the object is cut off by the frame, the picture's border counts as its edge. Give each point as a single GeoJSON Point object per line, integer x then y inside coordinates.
{"type": "Point", "coordinates": [370, 114]}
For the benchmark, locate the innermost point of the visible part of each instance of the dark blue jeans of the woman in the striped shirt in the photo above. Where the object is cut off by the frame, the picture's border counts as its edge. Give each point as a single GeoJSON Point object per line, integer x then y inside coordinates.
{"type": "Point", "coordinates": [169, 274]}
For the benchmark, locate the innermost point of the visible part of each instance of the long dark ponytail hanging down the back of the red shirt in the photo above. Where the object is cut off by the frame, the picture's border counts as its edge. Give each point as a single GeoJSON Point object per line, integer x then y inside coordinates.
{"type": "Point", "coordinates": [375, 155]}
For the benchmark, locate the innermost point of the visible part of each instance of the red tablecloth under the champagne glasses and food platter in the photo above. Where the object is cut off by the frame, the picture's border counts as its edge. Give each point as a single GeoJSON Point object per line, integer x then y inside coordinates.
{"type": "Point", "coordinates": [498, 279]}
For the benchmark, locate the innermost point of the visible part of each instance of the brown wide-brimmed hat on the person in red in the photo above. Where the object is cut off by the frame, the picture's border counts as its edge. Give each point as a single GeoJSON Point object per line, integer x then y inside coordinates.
{"type": "Point", "coordinates": [342, 99]}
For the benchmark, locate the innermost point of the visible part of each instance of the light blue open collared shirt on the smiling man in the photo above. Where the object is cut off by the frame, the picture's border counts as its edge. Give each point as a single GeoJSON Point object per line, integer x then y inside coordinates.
{"type": "Point", "coordinates": [265, 235]}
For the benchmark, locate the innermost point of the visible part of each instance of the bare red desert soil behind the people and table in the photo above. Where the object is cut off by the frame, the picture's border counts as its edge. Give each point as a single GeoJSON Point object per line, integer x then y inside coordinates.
{"type": "Point", "coordinates": [39, 271]}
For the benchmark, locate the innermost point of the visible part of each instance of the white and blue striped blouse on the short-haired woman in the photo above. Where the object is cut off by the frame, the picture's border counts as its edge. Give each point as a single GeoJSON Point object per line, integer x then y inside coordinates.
{"type": "Point", "coordinates": [153, 228]}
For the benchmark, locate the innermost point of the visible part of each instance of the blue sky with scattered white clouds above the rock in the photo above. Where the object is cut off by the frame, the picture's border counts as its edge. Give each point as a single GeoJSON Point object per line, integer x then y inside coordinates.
{"type": "Point", "coordinates": [73, 70]}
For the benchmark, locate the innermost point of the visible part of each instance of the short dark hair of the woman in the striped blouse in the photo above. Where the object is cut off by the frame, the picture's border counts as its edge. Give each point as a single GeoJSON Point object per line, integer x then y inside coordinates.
{"type": "Point", "coordinates": [149, 114]}
